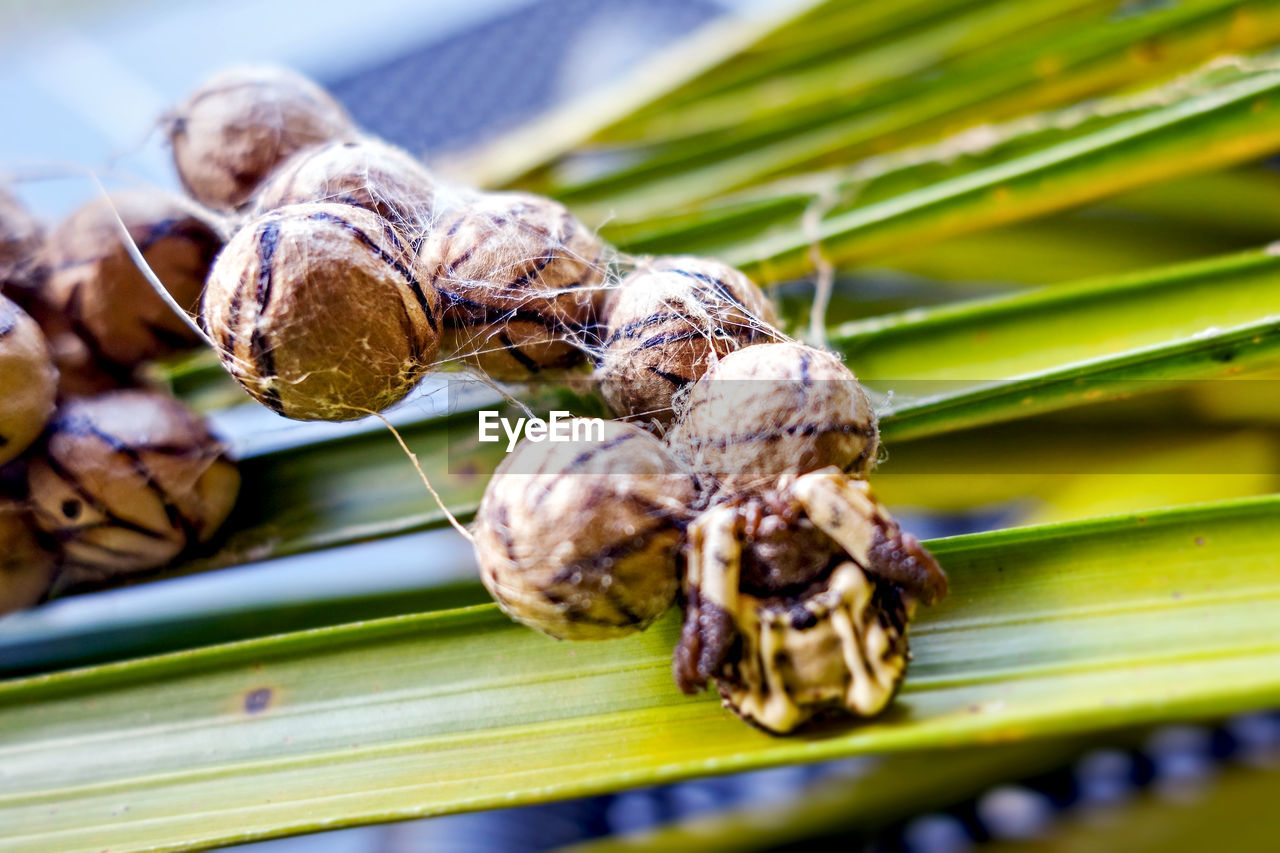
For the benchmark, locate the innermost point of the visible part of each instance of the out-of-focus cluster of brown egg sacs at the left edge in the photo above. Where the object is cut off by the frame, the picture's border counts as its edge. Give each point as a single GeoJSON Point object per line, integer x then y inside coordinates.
{"type": "Point", "coordinates": [97, 481]}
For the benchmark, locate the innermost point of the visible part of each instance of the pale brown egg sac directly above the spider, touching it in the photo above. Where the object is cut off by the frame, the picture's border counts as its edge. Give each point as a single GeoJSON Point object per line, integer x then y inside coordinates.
{"type": "Point", "coordinates": [776, 409]}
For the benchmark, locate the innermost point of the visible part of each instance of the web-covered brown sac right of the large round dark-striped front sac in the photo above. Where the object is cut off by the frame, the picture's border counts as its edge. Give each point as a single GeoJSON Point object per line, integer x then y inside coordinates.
{"type": "Point", "coordinates": [522, 281]}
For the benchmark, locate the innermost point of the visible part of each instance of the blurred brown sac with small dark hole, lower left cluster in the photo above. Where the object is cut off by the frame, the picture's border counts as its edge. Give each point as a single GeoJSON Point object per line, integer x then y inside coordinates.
{"type": "Point", "coordinates": [129, 481]}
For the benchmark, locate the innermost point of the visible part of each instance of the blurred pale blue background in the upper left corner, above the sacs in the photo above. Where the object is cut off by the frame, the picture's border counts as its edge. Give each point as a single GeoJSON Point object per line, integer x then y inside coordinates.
{"type": "Point", "coordinates": [84, 84]}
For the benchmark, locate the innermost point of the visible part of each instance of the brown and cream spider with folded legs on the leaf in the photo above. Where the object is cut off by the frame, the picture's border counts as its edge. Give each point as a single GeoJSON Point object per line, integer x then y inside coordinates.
{"type": "Point", "coordinates": [797, 601]}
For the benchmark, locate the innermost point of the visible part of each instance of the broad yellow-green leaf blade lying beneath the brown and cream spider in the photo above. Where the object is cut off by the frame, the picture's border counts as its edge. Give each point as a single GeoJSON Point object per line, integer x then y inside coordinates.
{"type": "Point", "coordinates": [1048, 632]}
